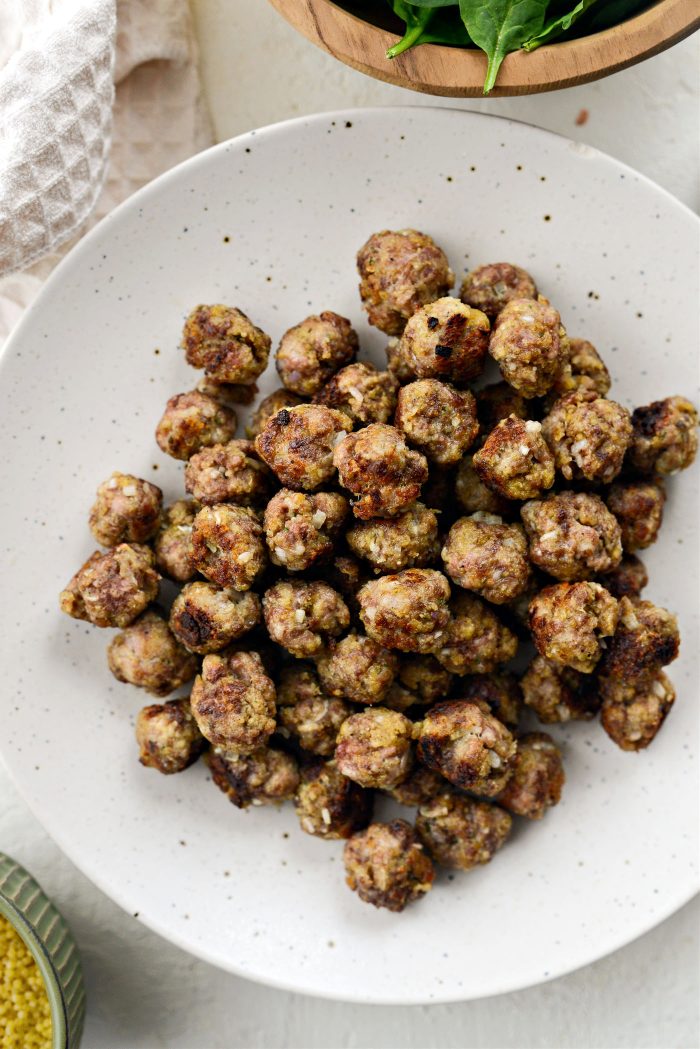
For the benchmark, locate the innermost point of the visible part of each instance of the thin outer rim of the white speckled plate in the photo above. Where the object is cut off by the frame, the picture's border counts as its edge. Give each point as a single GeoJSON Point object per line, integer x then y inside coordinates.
{"type": "Point", "coordinates": [691, 886]}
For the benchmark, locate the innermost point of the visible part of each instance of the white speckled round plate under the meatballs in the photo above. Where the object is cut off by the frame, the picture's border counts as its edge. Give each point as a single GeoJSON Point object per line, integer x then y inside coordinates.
{"type": "Point", "coordinates": [271, 223]}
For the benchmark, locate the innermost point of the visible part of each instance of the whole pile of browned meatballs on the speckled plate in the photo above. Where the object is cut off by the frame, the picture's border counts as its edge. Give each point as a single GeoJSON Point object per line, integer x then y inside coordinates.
{"type": "Point", "coordinates": [359, 571]}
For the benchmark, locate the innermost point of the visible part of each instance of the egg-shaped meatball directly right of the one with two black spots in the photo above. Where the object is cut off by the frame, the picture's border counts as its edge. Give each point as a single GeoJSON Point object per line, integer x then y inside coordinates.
{"type": "Point", "coordinates": [531, 346]}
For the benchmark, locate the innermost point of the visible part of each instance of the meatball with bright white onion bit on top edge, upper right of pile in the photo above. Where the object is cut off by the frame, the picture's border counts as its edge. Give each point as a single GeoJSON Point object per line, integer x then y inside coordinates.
{"type": "Point", "coordinates": [516, 461]}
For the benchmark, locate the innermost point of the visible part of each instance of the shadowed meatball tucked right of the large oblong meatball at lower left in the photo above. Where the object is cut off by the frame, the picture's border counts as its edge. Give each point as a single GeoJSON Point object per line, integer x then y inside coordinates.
{"type": "Point", "coordinates": [306, 712]}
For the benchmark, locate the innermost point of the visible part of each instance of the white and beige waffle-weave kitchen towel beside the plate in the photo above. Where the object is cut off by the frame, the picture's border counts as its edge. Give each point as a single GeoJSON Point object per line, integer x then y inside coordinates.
{"type": "Point", "coordinates": [97, 98]}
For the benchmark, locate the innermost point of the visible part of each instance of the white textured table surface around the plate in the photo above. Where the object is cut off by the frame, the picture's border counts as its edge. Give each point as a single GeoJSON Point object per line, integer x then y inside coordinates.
{"type": "Point", "coordinates": [143, 993]}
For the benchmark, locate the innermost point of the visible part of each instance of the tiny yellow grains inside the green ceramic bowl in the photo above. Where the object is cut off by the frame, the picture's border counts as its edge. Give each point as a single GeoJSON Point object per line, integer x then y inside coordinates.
{"type": "Point", "coordinates": [26, 1018]}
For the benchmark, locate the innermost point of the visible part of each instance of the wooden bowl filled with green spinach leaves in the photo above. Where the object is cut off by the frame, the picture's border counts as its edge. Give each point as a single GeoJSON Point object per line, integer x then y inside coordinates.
{"type": "Point", "coordinates": [470, 48]}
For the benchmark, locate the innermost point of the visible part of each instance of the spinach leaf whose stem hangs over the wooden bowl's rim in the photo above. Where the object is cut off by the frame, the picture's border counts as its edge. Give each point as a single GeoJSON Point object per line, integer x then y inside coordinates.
{"type": "Point", "coordinates": [502, 27]}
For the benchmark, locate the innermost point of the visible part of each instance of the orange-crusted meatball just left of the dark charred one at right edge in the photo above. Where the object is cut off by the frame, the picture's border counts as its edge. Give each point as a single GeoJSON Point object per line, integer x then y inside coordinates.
{"type": "Point", "coordinates": [570, 620]}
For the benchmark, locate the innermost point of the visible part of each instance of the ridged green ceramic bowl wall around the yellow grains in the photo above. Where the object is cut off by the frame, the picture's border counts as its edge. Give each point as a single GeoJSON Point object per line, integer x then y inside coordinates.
{"type": "Point", "coordinates": [48, 936]}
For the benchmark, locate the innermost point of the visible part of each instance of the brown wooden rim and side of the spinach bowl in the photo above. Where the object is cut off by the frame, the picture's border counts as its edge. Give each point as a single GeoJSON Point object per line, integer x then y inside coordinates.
{"type": "Point", "coordinates": [342, 31]}
